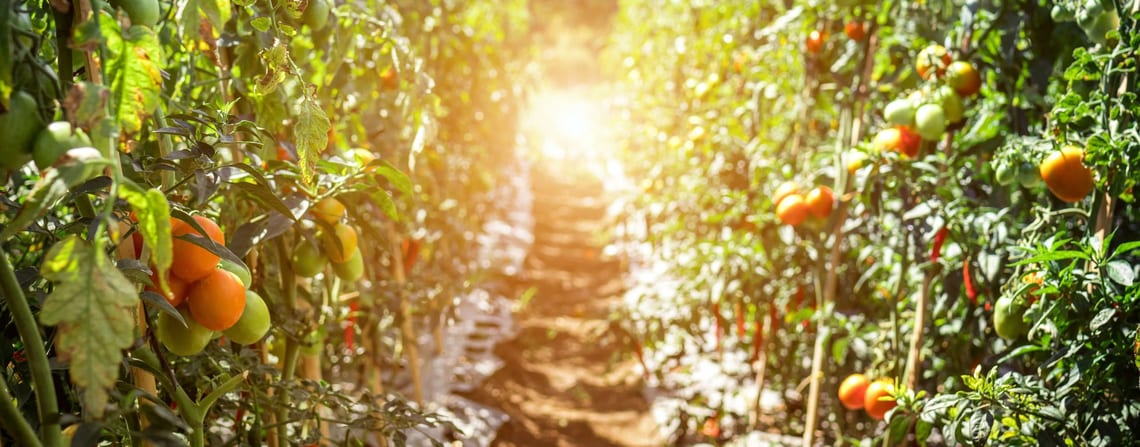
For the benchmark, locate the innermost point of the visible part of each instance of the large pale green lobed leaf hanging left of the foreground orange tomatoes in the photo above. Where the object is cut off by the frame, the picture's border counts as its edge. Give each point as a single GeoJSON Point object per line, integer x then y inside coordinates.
{"type": "Point", "coordinates": [93, 306]}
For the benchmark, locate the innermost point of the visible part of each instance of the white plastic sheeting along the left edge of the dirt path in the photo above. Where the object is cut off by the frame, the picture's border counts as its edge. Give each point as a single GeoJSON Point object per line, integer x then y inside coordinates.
{"type": "Point", "coordinates": [483, 320]}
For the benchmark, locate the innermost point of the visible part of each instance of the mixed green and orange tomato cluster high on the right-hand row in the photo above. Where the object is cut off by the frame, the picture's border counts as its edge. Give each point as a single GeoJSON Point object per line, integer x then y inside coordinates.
{"type": "Point", "coordinates": [926, 113]}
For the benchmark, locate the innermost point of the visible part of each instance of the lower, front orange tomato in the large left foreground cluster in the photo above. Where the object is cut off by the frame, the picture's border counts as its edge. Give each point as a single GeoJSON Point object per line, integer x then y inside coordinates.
{"type": "Point", "coordinates": [218, 300]}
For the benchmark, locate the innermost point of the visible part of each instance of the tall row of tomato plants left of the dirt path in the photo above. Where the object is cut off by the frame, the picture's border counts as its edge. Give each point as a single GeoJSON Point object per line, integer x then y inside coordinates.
{"type": "Point", "coordinates": [251, 223]}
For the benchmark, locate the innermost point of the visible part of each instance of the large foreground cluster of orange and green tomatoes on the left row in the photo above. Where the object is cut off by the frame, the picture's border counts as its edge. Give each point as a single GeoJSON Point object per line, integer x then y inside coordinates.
{"type": "Point", "coordinates": [211, 295]}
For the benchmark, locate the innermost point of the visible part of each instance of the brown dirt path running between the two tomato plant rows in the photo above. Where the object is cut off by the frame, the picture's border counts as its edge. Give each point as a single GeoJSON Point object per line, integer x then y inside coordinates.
{"type": "Point", "coordinates": [561, 384]}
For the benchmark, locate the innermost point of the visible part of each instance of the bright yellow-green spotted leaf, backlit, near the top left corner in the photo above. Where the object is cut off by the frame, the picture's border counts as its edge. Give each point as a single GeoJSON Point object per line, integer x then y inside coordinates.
{"type": "Point", "coordinates": [134, 67]}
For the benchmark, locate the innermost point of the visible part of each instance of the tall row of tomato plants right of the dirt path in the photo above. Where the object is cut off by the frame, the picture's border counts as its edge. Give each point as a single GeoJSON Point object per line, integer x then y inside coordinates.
{"type": "Point", "coordinates": [883, 223]}
